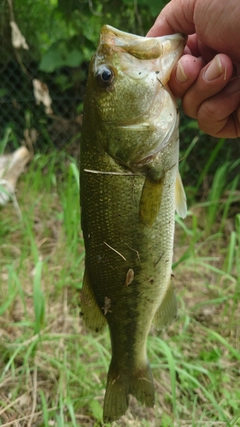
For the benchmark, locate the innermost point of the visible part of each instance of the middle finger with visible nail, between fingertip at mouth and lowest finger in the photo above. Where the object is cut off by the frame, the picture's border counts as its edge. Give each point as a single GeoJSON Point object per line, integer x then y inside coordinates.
{"type": "Point", "coordinates": [211, 80]}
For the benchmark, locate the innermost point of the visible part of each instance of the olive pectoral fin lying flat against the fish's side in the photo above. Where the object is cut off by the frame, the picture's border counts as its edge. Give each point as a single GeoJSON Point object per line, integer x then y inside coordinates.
{"type": "Point", "coordinates": [150, 201]}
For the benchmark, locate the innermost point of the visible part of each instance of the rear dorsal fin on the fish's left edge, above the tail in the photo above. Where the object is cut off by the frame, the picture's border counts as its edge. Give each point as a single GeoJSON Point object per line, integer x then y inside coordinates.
{"type": "Point", "coordinates": [92, 315]}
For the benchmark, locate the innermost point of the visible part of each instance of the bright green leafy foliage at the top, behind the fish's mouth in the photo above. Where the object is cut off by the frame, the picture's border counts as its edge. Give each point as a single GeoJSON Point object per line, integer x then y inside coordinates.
{"type": "Point", "coordinates": [66, 33]}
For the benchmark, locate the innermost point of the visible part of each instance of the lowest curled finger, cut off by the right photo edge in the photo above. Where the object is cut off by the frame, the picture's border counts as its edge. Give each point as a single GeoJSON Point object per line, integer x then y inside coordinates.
{"type": "Point", "coordinates": [220, 115]}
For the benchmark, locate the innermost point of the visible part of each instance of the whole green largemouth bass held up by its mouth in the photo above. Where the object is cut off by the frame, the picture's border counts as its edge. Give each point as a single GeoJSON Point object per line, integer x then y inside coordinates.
{"type": "Point", "coordinates": [130, 188]}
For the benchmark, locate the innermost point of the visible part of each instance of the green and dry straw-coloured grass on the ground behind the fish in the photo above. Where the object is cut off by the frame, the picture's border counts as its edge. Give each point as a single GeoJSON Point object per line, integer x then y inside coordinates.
{"type": "Point", "coordinates": [53, 372]}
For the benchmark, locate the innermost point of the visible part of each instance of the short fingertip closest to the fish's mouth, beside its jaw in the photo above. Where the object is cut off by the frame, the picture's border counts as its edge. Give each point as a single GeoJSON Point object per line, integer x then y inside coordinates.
{"type": "Point", "coordinates": [184, 74]}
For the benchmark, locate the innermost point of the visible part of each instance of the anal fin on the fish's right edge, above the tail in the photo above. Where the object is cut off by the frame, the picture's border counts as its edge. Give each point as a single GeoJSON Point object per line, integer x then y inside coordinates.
{"type": "Point", "coordinates": [167, 311]}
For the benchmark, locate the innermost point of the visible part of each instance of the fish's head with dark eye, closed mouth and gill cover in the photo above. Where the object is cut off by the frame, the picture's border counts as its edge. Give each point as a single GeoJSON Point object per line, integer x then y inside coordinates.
{"type": "Point", "coordinates": [128, 78]}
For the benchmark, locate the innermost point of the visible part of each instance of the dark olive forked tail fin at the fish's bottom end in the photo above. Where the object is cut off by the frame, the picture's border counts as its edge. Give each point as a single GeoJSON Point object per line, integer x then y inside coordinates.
{"type": "Point", "coordinates": [138, 383]}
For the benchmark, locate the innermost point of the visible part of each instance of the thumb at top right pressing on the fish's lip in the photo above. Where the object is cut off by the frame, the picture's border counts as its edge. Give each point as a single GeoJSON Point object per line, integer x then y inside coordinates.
{"type": "Point", "coordinates": [216, 23]}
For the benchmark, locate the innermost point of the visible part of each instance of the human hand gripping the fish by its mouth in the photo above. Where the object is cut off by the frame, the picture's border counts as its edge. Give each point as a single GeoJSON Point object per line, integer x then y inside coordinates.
{"type": "Point", "coordinates": [206, 77]}
